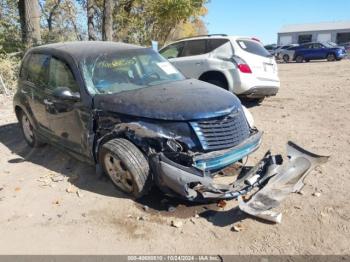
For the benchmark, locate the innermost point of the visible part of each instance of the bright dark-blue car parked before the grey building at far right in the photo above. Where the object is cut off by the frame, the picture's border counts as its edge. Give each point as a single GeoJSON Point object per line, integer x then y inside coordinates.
{"type": "Point", "coordinates": [317, 51]}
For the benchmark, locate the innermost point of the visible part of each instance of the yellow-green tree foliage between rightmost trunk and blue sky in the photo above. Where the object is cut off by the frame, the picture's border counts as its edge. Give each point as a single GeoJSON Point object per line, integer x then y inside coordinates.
{"type": "Point", "coordinates": [140, 21]}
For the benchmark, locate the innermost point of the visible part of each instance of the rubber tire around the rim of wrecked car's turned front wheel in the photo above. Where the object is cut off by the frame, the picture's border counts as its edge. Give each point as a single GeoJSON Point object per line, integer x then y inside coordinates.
{"type": "Point", "coordinates": [134, 162]}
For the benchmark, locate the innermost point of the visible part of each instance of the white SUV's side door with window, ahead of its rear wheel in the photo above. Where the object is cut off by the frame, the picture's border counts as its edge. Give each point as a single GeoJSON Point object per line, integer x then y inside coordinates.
{"type": "Point", "coordinates": [191, 62]}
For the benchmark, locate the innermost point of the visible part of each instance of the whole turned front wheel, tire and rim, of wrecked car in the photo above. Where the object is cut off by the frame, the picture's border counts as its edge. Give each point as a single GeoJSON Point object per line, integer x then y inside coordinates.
{"type": "Point", "coordinates": [126, 166]}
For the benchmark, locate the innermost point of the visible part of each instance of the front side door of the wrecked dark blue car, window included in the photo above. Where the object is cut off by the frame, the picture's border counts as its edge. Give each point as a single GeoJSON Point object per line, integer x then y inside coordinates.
{"type": "Point", "coordinates": [65, 116]}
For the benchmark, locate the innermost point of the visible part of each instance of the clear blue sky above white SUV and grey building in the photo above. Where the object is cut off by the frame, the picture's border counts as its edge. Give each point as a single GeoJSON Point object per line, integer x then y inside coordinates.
{"type": "Point", "coordinates": [264, 18]}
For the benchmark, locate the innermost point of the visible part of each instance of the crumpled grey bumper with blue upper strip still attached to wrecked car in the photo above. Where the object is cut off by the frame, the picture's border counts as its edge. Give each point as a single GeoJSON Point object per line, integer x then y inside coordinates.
{"type": "Point", "coordinates": [196, 183]}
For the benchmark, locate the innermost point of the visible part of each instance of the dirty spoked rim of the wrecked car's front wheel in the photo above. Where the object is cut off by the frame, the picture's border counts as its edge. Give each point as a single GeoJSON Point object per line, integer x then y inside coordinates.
{"type": "Point", "coordinates": [118, 172]}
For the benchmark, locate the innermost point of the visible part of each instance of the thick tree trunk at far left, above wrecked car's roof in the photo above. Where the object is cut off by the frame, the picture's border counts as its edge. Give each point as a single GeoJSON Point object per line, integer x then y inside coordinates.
{"type": "Point", "coordinates": [30, 22]}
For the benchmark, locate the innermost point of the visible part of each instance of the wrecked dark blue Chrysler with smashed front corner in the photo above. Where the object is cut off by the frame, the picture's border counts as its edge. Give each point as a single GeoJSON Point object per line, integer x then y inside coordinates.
{"type": "Point", "coordinates": [128, 110]}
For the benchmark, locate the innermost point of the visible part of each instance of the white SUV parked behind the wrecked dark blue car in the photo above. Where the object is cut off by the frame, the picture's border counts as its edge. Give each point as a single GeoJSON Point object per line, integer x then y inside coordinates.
{"type": "Point", "coordinates": [239, 64]}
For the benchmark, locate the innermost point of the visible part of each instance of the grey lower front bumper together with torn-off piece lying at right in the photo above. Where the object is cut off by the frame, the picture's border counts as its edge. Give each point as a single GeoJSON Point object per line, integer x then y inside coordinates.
{"type": "Point", "coordinates": [273, 179]}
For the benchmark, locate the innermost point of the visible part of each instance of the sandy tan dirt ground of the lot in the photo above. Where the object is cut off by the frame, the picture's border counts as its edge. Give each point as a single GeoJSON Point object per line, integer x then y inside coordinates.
{"type": "Point", "coordinates": [39, 216]}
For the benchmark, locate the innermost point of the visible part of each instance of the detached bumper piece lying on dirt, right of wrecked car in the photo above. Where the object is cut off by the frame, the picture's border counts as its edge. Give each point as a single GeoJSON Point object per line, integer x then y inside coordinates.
{"type": "Point", "coordinates": [282, 179]}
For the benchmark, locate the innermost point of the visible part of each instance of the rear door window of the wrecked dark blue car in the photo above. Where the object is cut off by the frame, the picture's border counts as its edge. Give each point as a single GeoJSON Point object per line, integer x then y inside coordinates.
{"type": "Point", "coordinates": [37, 68]}
